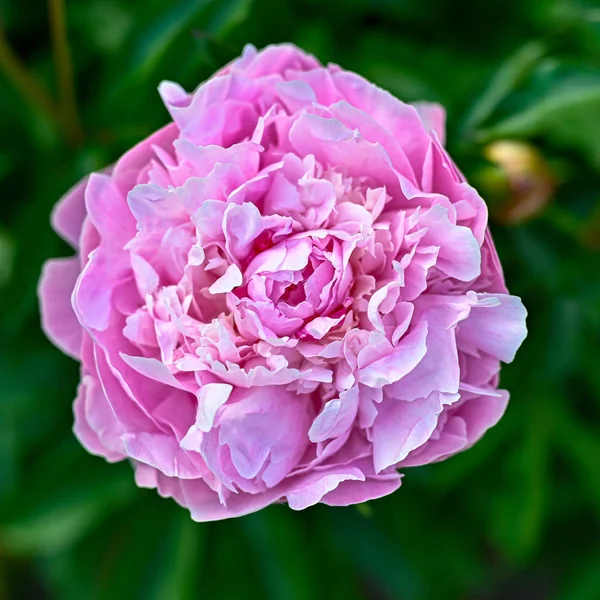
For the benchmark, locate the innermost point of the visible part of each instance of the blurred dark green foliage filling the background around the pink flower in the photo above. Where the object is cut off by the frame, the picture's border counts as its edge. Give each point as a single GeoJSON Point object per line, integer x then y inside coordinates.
{"type": "Point", "coordinates": [516, 517]}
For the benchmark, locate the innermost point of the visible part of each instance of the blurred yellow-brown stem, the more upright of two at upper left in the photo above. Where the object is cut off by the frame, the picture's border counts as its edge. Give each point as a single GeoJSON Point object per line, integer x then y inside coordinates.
{"type": "Point", "coordinates": [64, 70]}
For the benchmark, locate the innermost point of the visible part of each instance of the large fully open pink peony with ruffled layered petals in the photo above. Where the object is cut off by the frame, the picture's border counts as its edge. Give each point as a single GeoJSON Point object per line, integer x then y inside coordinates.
{"type": "Point", "coordinates": [288, 293]}
